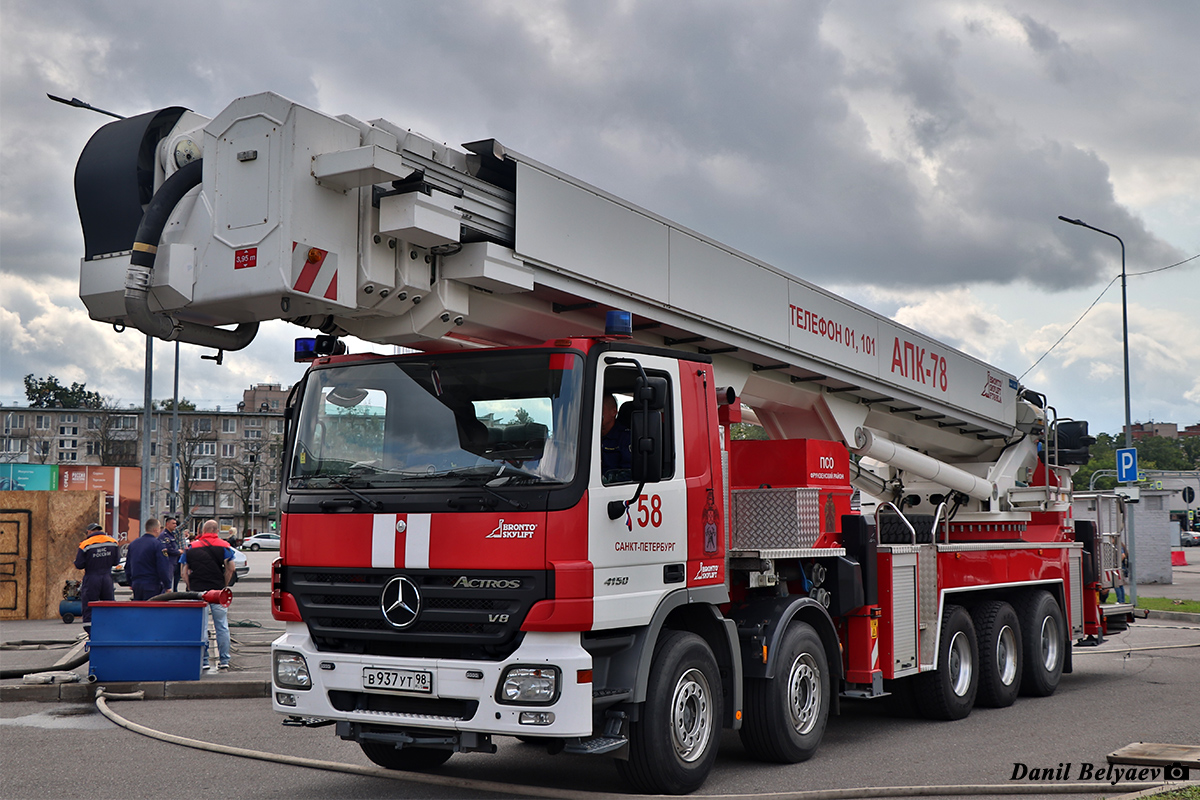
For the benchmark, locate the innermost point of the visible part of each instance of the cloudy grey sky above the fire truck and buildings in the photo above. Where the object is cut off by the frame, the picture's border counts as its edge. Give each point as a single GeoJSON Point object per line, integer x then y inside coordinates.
{"type": "Point", "coordinates": [913, 158]}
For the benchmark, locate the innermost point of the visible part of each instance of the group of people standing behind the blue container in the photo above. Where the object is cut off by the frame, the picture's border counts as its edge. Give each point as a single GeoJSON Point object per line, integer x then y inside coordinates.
{"type": "Point", "coordinates": [155, 564]}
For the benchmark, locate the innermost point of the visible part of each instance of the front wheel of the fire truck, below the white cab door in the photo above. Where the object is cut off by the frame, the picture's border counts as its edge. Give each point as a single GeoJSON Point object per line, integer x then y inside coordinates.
{"type": "Point", "coordinates": [674, 745]}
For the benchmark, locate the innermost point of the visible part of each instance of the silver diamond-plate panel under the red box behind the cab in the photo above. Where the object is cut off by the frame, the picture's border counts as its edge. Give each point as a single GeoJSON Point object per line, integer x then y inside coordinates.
{"type": "Point", "coordinates": [776, 519]}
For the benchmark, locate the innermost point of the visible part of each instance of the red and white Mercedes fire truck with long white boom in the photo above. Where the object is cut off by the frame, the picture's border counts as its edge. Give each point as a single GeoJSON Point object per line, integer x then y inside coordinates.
{"type": "Point", "coordinates": [542, 521]}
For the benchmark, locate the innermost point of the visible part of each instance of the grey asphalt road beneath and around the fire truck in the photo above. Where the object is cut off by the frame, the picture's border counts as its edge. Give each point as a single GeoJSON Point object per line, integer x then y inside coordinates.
{"type": "Point", "coordinates": [1119, 694]}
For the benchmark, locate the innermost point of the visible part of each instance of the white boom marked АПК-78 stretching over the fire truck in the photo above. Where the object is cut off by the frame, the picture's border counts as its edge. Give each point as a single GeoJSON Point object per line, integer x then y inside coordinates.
{"type": "Point", "coordinates": [369, 230]}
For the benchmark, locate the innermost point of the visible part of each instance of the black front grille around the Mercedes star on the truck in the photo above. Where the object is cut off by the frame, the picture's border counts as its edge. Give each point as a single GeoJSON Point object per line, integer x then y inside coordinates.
{"type": "Point", "coordinates": [458, 619]}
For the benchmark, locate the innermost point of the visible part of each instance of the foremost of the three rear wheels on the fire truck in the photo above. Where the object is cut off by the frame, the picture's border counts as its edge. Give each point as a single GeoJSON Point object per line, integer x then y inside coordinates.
{"type": "Point", "coordinates": [950, 691]}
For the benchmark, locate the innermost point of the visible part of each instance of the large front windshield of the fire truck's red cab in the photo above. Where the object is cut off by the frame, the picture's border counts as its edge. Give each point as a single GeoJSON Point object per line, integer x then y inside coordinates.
{"type": "Point", "coordinates": [497, 419]}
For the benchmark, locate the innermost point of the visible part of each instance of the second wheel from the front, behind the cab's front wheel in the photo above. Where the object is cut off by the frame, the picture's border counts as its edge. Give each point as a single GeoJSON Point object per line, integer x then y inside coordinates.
{"type": "Point", "coordinates": [787, 715]}
